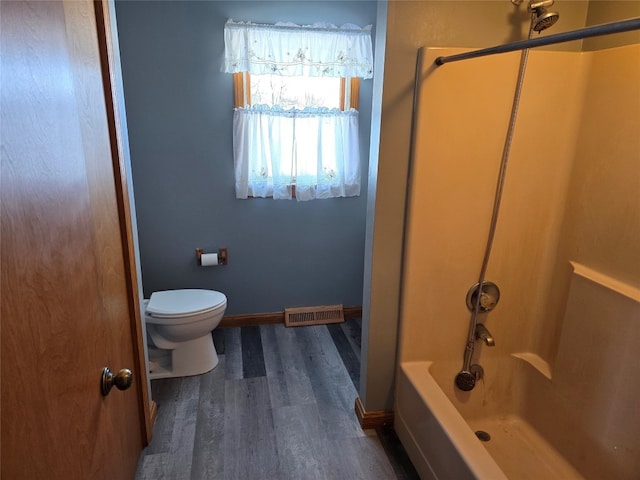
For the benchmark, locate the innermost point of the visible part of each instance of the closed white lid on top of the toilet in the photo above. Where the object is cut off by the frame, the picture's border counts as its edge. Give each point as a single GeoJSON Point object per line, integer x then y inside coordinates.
{"type": "Point", "coordinates": [186, 301]}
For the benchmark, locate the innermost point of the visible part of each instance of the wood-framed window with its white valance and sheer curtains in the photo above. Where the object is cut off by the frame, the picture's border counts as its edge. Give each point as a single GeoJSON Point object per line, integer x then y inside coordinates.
{"type": "Point", "coordinates": [296, 98]}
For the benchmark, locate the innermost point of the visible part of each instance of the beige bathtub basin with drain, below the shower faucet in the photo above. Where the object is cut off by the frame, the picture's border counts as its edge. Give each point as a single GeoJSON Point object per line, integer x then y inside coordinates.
{"type": "Point", "coordinates": [536, 431]}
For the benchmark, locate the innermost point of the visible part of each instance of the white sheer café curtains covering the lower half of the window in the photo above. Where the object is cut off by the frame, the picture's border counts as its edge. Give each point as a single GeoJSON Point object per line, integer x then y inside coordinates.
{"type": "Point", "coordinates": [269, 145]}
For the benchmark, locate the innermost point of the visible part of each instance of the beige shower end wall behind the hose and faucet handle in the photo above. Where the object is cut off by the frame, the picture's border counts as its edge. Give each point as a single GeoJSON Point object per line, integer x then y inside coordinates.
{"type": "Point", "coordinates": [461, 124]}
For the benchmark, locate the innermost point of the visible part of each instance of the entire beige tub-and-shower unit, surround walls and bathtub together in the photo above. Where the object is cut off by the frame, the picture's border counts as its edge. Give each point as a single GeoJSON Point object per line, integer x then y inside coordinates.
{"type": "Point", "coordinates": [565, 257]}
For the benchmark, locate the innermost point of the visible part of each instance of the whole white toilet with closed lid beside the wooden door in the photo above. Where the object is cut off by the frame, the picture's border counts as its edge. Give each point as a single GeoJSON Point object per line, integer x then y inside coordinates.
{"type": "Point", "coordinates": [179, 325]}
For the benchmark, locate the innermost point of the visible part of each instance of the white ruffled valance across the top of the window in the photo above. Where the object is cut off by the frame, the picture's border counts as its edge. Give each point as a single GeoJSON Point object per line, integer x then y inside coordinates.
{"type": "Point", "coordinates": [318, 50]}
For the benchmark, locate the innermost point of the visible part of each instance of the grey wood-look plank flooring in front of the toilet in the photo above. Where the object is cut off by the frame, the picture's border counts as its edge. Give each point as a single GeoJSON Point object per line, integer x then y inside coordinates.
{"type": "Point", "coordinates": [279, 405]}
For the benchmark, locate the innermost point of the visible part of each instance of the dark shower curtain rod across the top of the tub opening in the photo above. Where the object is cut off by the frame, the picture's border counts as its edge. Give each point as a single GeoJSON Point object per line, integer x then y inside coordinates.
{"type": "Point", "coordinates": [595, 31]}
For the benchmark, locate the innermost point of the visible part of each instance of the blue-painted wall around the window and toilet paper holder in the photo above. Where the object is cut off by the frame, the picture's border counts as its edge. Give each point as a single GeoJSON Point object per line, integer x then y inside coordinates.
{"type": "Point", "coordinates": [179, 109]}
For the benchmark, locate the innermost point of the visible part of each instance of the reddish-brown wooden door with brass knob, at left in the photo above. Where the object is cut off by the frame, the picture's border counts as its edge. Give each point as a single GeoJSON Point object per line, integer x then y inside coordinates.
{"type": "Point", "coordinates": [67, 291]}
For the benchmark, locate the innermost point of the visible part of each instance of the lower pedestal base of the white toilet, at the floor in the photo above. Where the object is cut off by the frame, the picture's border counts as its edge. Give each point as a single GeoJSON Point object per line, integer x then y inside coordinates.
{"type": "Point", "coordinates": [194, 357]}
